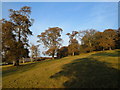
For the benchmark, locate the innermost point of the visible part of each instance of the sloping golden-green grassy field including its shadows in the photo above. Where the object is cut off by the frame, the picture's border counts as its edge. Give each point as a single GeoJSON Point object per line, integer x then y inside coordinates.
{"type": "Point", "coordinates": [92, 70]}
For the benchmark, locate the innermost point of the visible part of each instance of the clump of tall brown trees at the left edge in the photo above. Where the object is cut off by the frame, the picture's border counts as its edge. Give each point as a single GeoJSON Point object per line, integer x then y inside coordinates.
{"type": "Point", "coordinates": [15, 33]}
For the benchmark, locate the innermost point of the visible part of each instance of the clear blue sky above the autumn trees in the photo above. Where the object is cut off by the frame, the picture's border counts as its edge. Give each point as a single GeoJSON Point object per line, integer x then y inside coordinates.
{"type": "Point", "coordinates": [67, 15]}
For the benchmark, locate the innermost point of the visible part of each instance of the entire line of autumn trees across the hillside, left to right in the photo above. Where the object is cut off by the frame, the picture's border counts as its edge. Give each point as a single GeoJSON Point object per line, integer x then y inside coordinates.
{"type": "Point", "coordinates": [15, 32]}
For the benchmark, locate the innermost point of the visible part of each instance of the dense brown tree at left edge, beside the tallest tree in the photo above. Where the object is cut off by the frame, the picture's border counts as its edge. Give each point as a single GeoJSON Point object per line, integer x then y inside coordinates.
{"type": "Point", "coordinates": [9, 43]}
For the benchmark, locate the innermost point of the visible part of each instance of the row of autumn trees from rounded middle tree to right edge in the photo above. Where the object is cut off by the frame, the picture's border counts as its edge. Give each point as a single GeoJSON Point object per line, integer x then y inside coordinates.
{"type": "Point", "coordinates": [79, 41]}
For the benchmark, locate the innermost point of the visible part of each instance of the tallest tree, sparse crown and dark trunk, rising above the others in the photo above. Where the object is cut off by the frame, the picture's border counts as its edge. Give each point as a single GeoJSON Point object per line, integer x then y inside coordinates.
{"type": "Point", "coordinates": [22, 22]}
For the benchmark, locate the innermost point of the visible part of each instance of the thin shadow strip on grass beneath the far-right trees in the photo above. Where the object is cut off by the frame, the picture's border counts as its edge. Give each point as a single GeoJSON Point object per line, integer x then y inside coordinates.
{"type": "Point", "coordinates": [115, 54]}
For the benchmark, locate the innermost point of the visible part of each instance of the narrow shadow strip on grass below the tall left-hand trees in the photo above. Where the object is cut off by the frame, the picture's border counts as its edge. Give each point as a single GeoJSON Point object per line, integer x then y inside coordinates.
{"type": "Point", "coordinates": [17, 69]}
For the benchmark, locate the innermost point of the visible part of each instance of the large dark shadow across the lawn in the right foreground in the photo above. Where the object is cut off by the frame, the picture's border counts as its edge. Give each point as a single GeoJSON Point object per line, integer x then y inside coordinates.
{"type": "Point", "coordinates": [88, 73]}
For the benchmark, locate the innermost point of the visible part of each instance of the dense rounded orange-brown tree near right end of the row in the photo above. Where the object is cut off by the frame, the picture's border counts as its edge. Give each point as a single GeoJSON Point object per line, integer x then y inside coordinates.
{"type": "Point", "coordinates": [105, 40]}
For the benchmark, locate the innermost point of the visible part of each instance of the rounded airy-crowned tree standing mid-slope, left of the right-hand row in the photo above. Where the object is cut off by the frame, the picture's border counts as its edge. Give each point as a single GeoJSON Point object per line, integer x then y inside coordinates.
{"type": "Point", "coordinates": [51, 39]}
